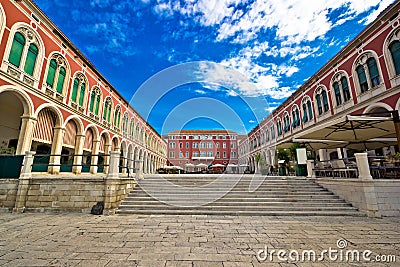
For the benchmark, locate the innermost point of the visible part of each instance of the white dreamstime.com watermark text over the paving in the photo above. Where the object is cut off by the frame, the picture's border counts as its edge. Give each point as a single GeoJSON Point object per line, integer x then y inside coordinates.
{"type": "Point", "coordinates": [339, 254]}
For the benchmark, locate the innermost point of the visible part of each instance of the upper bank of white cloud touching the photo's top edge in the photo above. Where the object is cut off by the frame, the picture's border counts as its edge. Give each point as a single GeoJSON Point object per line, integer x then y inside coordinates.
{"type": "Point", "coordinates": [295, 21]}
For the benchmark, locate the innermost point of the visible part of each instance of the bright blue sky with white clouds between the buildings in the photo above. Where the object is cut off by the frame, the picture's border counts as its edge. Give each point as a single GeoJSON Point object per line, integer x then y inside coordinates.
{"type": "Point", "coordinates": [209, 64]}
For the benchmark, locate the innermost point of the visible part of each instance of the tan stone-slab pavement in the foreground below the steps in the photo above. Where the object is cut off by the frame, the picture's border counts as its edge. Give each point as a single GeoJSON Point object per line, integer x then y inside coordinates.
{"type": "Point", "coordinates": [139, 240]}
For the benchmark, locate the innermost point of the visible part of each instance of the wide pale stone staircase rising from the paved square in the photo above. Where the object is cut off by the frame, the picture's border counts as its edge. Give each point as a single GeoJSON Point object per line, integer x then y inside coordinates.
{"type": "Point", "coordinates": [233, 195]}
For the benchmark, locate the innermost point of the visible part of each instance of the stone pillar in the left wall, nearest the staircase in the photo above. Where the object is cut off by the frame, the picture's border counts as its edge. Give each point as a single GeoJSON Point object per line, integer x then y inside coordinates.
{"type": "Point", "coordinates": [111, 184]}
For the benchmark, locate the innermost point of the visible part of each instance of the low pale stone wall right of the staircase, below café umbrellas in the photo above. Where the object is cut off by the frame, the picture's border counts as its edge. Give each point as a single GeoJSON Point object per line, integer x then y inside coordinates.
{"type": "Point", "coordinates": [387, 193]}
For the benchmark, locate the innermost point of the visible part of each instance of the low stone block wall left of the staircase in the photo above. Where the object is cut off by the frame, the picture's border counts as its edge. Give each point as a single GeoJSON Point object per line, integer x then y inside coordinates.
{"type": "Point", "coordinates": [72, 194]}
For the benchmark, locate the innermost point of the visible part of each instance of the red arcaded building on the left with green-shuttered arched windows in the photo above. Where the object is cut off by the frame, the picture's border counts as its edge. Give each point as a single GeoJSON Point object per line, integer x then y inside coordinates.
{"type": "Point", "coordinates": [55, 102]}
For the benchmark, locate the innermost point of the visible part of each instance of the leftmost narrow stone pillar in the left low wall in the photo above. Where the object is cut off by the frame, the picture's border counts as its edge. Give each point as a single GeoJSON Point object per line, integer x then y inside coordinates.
{"type": "Point", "coordinates": [24, 182]}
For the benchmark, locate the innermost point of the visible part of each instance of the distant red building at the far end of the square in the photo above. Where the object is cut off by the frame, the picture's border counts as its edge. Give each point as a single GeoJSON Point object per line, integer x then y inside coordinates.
{"type": "Point", "coordinates": [193, 150]}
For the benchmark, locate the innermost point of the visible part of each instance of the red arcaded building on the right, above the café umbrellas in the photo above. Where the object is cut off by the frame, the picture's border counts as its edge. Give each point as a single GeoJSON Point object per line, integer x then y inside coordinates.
{"type": "Point", "coordinates": [363, 78]}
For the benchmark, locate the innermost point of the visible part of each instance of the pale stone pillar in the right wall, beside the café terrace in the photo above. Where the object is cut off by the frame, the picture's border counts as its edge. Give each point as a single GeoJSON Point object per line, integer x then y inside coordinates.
{"type": "Point", "coordinates": [368, 186]}
